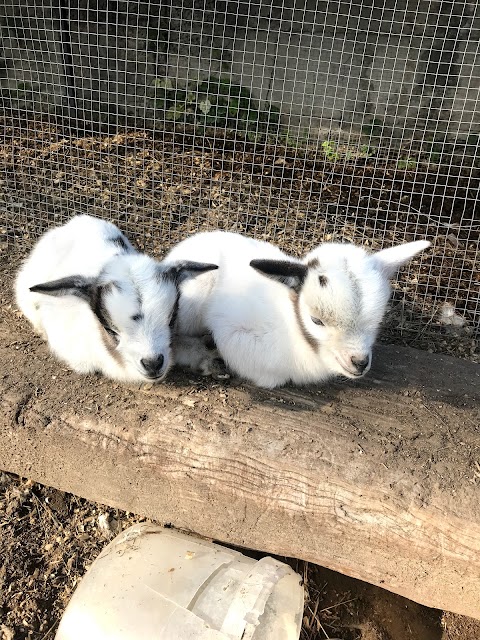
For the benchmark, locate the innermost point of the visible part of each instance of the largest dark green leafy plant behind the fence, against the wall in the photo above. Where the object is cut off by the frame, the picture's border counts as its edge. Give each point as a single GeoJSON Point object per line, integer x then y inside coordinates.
{"type": "Point", "coordinates": [215, 102]}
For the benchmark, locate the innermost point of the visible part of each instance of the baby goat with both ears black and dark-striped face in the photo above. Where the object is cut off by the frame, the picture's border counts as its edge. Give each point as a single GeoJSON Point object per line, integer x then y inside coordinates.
{"type": "Point", "coordinates": [101, 305]}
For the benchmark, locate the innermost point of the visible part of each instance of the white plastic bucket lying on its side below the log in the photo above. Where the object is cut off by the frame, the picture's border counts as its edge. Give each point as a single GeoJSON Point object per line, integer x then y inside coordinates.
{"type": "Point", "coordinates": [156, 583]}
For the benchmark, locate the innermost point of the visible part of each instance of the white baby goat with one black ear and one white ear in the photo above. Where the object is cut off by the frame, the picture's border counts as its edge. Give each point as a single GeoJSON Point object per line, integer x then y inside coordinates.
{"type": "Point", "coordinates": [275, 319]}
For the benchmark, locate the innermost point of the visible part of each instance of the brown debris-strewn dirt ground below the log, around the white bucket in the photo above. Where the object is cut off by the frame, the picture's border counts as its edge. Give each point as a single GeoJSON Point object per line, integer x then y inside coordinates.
{"type": "Point", "coordinates": [48, 539]}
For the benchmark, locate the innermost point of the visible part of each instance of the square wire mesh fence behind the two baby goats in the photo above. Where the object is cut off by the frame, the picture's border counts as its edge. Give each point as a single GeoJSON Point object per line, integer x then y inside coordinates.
{"type": "Point", "coordinates": [295, 122]}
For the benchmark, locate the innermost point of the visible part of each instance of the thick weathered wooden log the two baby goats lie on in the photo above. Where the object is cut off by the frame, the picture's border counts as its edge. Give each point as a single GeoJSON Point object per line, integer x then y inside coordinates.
{"type": "Point", "coordinates": [379, 479]}
